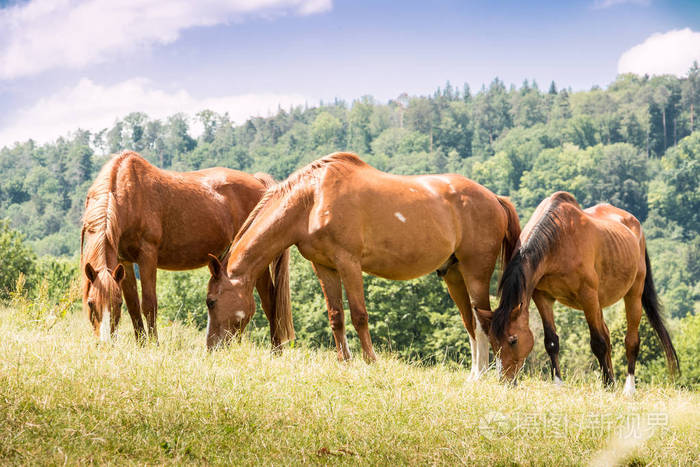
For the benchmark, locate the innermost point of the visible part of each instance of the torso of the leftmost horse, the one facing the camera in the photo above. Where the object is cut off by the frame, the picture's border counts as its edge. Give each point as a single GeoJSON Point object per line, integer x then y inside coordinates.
{"type": "Point", "coordinates": [185, 215]}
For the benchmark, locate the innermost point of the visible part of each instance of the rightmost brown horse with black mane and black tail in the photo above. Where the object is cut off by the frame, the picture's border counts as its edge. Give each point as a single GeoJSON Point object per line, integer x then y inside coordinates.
{"type": "Point", "coordinates": [586, 259]}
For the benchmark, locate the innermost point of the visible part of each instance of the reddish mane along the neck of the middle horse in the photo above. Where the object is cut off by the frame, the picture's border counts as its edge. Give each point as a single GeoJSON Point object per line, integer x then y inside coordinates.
{"type": "Point", "coordinates": [310, 172]}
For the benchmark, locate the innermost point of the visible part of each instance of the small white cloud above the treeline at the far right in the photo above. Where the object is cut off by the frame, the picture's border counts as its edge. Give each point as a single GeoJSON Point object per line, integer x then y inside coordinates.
{"type": "Point", "coordinates": [672, 53]}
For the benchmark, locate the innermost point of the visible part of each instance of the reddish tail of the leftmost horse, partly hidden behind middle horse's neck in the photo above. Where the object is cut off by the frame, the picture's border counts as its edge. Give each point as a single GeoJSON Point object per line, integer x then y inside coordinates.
{"type": "Point", "coordinates": [279, 271]}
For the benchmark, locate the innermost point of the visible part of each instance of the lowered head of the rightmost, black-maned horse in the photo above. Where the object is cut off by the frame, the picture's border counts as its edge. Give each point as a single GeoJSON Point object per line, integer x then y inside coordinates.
{"type": "Point", "coordinates": [511, 340]}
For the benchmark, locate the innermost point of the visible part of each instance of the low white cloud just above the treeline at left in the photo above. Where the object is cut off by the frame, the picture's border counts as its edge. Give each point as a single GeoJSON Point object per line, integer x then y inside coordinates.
{"type": "Point", "coordinates": [90, 106]}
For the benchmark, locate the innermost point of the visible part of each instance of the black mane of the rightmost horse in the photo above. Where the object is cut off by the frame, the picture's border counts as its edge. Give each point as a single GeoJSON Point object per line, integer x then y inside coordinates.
{"type": "Point", "coordinates": [514, 281]}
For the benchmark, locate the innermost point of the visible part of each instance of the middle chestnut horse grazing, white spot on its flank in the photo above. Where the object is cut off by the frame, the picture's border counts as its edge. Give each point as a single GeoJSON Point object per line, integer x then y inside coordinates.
{"type": "Point", "coordinates": [347, 217]}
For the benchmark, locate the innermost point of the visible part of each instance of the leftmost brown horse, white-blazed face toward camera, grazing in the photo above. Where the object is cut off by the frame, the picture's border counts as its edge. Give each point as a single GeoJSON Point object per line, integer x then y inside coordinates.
{"type": "Point", "coordinates": [136, 213]}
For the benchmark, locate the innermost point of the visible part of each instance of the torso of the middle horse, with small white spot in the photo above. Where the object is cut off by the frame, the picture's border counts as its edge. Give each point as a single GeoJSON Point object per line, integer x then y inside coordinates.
{"type": "Point", "coordinates": [403, 226]}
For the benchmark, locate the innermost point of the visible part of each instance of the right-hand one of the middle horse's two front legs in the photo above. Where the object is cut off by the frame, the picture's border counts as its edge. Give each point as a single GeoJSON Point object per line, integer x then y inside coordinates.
{"type": "Point", "coordinates": [351, 276]}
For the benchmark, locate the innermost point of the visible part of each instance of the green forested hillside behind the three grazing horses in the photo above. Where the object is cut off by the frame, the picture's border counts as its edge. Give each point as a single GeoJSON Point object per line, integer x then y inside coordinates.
{"type": "Point", "coordinates": [634, 144]}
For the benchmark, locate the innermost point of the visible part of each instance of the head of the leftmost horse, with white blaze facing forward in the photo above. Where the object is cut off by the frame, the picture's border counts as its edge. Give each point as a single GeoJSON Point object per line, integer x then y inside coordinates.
{"type": "Point", "coordinates": [102, 299]}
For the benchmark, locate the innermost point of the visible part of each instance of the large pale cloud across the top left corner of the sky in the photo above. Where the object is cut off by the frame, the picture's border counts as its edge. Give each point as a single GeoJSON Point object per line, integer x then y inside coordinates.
{"type": "Point", "coordinates": [45, 34]}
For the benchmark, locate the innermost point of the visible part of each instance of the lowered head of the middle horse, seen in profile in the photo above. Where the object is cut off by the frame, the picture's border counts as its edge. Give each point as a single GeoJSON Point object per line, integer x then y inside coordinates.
{"type": "Point", "coordinates": [230, 304]}
